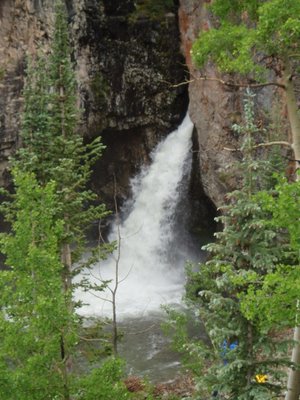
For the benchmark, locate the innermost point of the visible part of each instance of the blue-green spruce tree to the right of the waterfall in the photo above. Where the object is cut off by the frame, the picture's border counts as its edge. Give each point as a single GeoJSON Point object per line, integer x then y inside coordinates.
{"type": "Point", "coordinates": [245, 251]}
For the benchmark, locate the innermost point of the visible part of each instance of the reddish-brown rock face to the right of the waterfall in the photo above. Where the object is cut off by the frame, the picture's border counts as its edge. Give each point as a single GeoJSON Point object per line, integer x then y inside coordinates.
{"type": "Point", "coordinates": [213, 107]}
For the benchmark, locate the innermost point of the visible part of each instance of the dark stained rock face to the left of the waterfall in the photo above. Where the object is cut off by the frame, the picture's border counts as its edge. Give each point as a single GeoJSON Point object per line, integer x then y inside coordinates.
{"type": "Point", "coordinates": [124, 63]}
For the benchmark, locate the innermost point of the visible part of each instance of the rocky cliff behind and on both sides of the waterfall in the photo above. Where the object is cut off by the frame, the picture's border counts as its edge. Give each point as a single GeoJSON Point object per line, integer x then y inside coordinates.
{"type": "Point", "coordinates": [126, 59]}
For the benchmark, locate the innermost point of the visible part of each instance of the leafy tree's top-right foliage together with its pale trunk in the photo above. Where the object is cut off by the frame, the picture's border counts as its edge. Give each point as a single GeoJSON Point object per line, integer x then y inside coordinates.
{"type": "Point", "coordinates": [252, 37]}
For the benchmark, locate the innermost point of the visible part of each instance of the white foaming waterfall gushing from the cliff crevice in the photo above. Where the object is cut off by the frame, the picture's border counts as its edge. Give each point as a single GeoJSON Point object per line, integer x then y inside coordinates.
{"type": "Point", "coordinates": [151, 267]}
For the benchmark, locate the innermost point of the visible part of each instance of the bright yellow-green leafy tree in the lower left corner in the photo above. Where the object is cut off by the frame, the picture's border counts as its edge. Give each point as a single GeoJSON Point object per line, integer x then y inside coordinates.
{"type": "Point", "coordinates": [34, 311]}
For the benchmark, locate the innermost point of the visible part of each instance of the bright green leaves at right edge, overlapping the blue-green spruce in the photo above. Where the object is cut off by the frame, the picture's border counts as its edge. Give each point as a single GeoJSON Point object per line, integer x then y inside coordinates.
{"type": "Point", "coordinates": [274, 301]}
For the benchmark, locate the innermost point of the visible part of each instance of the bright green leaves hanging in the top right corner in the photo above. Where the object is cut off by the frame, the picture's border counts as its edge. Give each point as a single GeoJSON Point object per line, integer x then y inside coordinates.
{"type": "Point", "coordinates": [247, 28]}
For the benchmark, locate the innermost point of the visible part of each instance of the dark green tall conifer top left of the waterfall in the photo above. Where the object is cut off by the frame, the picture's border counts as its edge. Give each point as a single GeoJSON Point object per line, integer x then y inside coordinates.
{"type": "Point", "coordinates": [53, 149]}
